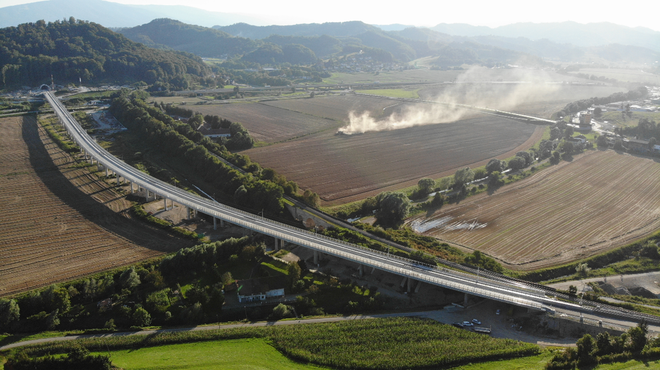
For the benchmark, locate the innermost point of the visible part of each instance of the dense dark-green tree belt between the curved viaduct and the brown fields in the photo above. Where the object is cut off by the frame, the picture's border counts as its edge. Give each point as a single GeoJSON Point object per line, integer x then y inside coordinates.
{"type": "Point", "coordinates": [255, 188]}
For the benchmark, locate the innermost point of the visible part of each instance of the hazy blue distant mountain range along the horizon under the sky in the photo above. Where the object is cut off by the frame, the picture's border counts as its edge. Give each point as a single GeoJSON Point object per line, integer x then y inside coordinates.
{"type": "Point", "coordinates": [448, 43]}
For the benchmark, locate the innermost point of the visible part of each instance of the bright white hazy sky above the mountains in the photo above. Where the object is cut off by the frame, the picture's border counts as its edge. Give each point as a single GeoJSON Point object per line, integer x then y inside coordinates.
{"type": "Point", "coordinates": [492, 13]}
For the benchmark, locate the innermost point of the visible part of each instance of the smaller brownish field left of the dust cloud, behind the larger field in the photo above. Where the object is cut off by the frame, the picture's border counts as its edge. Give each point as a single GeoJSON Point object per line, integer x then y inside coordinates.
{"type": "Point", "coordinates": [268, 123]}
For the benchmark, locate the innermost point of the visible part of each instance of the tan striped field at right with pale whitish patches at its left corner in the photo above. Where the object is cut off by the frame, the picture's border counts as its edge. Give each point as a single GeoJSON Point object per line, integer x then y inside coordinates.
{"type": "Point", "coordinates": [599, 201]}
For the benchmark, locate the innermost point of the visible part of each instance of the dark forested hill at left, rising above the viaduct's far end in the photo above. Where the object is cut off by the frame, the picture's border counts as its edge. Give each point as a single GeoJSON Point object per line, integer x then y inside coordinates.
{"type": "Point", "coordinates": [72, 50]}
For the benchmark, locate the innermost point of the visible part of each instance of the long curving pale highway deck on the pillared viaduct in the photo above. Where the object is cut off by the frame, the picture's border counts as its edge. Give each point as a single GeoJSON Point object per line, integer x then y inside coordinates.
{"type": "Point", "coordinates": [482, 286]}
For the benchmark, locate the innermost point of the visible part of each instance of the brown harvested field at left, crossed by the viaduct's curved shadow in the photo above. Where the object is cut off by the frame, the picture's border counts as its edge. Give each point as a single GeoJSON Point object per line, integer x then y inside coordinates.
{"type": "Point", "coordinates": [60, 222]}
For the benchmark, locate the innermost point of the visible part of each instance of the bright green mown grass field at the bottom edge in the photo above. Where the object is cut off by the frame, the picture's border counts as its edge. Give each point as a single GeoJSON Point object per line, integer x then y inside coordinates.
{"type": "Point", "coordinates": [241, 354]}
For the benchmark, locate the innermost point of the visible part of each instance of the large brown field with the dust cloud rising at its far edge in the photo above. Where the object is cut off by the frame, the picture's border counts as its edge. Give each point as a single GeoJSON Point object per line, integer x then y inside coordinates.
{"type": "Point", "coordinates": [343, 168]}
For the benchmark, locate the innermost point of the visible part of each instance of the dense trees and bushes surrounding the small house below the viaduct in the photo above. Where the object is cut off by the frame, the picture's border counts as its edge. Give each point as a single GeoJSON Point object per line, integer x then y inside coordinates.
{"type": "Point", "coordinates": [188, 287]}
